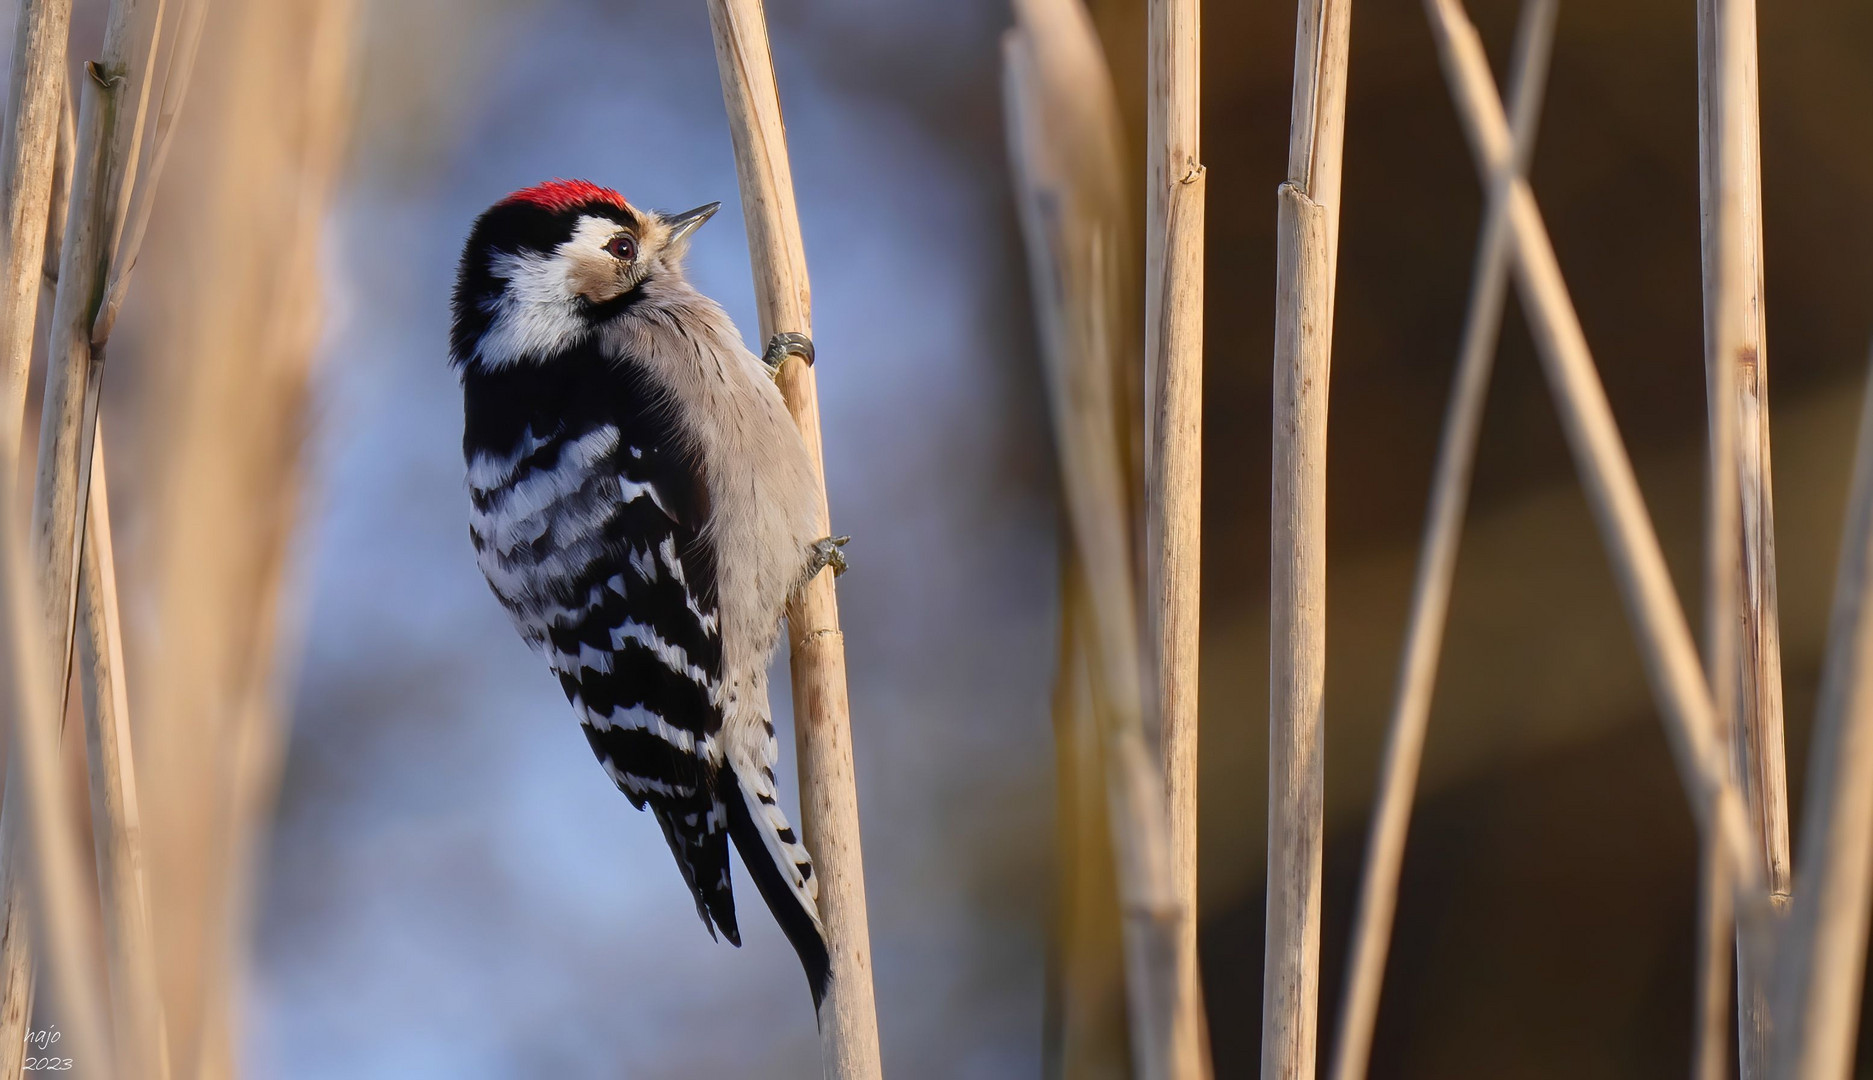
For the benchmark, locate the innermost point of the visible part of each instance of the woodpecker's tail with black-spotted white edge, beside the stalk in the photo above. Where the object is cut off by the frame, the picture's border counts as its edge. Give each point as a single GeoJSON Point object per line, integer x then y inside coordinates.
{"type": "Point", "coordinates": [778, 862]}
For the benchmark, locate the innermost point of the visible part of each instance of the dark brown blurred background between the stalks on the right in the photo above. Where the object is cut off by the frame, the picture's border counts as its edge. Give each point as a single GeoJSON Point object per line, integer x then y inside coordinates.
{"type": "Point", "coordinates": [1548, 909]}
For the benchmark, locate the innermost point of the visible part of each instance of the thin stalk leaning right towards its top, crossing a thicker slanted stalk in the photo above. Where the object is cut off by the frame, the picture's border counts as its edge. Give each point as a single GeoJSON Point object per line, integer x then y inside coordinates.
{"type": "Point", "coordinates": [1424, 637]}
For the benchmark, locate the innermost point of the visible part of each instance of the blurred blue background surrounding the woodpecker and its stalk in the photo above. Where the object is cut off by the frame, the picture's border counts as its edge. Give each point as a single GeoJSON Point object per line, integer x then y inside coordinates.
{"type": "Point", "coordinates": [456, 888]}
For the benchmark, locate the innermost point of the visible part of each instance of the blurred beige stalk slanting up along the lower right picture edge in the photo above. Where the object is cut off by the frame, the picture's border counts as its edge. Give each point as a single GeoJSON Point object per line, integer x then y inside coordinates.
{"type": "Point", "coordinates": [1821, 952]}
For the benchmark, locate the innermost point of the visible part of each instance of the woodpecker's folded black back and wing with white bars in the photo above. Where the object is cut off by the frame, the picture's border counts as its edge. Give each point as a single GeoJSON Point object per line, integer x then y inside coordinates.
{"type": "Point", "coordinates": [589, 523]}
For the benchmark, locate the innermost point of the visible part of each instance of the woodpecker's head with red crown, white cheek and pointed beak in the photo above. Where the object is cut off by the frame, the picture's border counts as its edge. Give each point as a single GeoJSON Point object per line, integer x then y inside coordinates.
{"type": "Point", "coordinates": [550, 263]}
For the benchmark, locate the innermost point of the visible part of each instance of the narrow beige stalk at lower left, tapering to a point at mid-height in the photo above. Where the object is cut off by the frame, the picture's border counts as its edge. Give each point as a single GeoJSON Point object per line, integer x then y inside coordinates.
{"type": "Point", "coordinates": [117, 823]}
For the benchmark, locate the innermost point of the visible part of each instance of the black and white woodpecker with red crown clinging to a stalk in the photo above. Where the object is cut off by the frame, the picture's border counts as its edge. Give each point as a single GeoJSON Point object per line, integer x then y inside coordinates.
{"type": "Point", "coordinates": [643, 508]}
